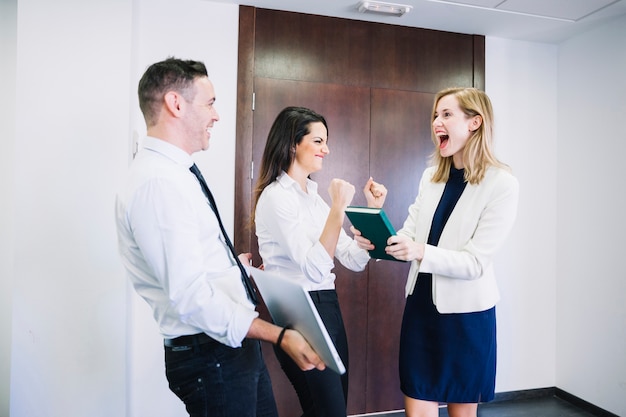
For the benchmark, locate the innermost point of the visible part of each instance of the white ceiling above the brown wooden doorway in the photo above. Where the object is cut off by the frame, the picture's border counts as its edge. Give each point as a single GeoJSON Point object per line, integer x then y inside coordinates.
{"type": "Point", "coordinates": [551, 21]}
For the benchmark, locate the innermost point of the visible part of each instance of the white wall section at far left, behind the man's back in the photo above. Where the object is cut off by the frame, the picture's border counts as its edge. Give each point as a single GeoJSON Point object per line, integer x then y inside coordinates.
{"type": "Point", "coordinates": [71, 117]}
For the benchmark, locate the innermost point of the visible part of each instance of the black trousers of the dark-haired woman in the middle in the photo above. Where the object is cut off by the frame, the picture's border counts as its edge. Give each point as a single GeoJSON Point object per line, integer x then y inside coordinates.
{"type": "Point", "coordinates": [322, 393]}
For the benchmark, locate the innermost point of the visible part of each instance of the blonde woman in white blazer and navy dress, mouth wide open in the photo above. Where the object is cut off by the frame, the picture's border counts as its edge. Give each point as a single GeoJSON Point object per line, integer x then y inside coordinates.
{"type": "Point", "coordinates": [466, 206]}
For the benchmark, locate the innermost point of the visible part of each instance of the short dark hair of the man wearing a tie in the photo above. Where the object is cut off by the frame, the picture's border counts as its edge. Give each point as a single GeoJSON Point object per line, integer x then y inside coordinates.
{"type": "Point", "coordinates": [170, 75]}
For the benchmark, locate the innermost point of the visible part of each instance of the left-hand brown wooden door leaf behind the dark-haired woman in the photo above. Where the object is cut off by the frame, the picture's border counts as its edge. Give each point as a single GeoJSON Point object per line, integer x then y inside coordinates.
{"type": "Point", "coordinates": [346, 110]}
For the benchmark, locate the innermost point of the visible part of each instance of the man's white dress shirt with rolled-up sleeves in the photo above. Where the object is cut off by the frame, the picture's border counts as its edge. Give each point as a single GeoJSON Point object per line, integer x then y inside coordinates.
{"type": "Point", "coordinates": [171, 245]}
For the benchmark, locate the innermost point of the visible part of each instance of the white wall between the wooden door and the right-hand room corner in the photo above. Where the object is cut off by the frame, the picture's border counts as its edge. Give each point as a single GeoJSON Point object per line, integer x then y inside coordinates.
{"type": "Point", "coordinates": [521, 82]}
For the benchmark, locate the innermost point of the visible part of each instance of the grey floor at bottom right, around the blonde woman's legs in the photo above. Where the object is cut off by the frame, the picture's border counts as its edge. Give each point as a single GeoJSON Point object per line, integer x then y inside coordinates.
{"type": "Point", "coordinates": [536, 407]}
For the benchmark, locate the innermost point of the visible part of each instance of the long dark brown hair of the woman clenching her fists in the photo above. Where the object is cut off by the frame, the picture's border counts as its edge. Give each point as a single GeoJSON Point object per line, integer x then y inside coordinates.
{"type": "Point", "coordinates": [287, 131]}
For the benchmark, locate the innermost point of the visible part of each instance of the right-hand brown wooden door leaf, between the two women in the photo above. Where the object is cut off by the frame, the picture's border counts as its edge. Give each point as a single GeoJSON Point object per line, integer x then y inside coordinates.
{"type": "Point", "coordinates": [400, 146]}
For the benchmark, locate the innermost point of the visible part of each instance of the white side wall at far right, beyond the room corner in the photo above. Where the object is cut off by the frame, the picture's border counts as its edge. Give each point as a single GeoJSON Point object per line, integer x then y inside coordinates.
{"type": "Point", "coordinates": [591, 303]}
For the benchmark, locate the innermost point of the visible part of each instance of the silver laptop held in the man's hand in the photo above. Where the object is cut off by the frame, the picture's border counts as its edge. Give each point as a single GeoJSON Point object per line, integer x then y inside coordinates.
{"type": "Point", "coordinates": [290, 305]}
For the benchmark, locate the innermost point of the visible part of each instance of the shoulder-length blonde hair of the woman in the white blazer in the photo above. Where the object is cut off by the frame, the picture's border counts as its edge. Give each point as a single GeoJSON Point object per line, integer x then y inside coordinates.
{"type": "Point", "coordinates": [478, 153]}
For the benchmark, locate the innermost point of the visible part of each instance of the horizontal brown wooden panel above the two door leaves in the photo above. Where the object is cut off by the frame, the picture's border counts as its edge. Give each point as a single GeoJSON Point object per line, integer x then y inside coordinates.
{"type": "Point", "coordinates": [331, 50]}
